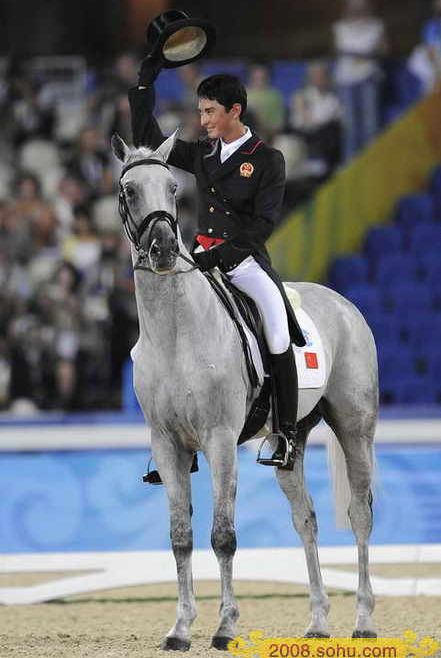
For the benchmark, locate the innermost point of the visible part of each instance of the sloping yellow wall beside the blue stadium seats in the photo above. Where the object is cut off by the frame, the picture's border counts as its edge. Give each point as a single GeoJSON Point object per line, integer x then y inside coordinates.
{"type": "Point", "coordinates": [364, 193]}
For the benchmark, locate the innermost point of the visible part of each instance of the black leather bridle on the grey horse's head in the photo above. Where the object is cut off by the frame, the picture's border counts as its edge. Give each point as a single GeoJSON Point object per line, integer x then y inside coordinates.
{"type": "Point", "coordinates": [134, 232]}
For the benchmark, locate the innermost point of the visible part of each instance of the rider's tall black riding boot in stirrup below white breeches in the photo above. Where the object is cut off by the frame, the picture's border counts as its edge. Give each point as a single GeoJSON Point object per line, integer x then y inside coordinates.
{"type": "Point", "coordinates": [284, 371]}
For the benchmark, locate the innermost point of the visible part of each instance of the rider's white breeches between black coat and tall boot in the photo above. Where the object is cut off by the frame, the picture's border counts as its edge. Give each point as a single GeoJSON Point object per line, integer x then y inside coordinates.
{"type": "Point", "coordinates": [255, 282]}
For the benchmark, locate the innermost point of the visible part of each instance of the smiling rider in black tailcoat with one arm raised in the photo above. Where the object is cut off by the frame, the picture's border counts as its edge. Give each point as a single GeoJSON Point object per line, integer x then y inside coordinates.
{"type": "Point", "coordinates": [240, 182]}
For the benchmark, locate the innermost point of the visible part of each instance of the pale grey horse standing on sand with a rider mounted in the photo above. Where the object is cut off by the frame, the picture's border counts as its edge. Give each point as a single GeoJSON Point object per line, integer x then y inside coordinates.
{"type": "Point", "coordinates": [191, 380]}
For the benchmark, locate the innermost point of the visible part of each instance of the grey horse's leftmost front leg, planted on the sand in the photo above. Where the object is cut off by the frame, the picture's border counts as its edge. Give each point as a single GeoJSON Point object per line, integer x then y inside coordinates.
{"type": "Point", "coordinates": [174, 467]}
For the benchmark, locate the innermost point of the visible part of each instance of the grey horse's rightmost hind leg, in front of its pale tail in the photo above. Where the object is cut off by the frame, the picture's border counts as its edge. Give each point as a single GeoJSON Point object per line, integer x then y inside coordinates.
{"type": "Point", "coordinates": [355, 430]}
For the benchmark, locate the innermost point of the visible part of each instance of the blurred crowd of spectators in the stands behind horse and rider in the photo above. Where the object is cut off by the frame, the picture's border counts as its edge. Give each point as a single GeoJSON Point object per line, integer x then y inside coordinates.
{"type": "Point", "coordinates": [67, 309]}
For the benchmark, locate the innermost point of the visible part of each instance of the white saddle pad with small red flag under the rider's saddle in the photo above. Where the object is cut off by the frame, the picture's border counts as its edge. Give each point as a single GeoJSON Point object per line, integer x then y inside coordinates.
{"type": "Point", "coordinates": [310, 359]}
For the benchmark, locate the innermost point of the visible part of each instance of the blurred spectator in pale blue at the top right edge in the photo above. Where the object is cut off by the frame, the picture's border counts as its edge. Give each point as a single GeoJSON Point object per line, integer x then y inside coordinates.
{"type": "Point", "coordinates": [425, 60]}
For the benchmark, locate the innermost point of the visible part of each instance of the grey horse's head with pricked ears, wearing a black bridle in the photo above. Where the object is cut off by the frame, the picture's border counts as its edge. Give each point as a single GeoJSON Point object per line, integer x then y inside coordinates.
{"type": "Point", "coordinates": [147, 203]}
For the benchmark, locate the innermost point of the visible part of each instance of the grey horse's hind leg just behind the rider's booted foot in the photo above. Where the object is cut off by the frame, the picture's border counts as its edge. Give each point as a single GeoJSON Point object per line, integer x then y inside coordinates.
{"type": "Point", "coordinates": [303, 516]}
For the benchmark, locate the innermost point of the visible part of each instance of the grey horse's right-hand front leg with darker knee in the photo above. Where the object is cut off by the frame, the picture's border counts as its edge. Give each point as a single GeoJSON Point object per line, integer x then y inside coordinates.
{"type": "Point", "coordinates": [222, 457]}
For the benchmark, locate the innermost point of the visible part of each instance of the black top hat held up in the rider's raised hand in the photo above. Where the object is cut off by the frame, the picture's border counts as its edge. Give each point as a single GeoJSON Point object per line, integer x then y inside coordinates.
{"type": "Point", "coordinates": [179, 39]}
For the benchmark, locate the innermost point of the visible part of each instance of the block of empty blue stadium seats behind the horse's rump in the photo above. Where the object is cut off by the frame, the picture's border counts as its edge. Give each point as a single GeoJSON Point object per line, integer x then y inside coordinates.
{"type": "Point", "coordinates": [396, 283]}
